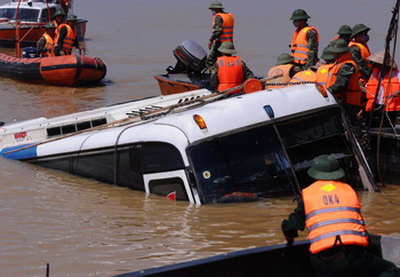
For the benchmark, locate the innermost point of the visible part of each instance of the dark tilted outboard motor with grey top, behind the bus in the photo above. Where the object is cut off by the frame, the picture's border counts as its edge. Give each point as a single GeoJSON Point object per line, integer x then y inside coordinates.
{"type": "Point", "coordinates": [191, 58]}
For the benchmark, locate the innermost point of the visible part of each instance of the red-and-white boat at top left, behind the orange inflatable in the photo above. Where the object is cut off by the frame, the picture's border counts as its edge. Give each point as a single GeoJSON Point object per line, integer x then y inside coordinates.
{"type": "Point", "coordinates": [32, 16]}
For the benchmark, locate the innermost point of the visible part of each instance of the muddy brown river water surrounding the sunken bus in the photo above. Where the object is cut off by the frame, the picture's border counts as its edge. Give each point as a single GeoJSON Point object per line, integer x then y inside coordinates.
{"type": "Point", "coordinates": [86, 228]}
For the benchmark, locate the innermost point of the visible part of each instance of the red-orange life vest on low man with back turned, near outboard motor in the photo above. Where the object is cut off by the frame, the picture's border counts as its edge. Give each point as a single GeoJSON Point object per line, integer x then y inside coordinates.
{"type": "Point", "coordinates": [230, 72]}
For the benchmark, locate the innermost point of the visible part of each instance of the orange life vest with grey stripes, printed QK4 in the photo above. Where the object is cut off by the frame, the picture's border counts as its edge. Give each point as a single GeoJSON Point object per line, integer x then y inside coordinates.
{"type": "Point", "coordinates": [332, 209]}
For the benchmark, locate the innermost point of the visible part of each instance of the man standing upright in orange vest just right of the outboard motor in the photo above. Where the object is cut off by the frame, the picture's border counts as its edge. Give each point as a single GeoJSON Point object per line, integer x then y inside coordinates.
{"type": "Point", "coordinates": [223, 24]}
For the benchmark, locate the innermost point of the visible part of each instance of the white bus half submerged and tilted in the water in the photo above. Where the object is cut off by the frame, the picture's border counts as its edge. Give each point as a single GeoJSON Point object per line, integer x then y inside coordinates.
{"type": "Point", "coordinates": [201, 146]}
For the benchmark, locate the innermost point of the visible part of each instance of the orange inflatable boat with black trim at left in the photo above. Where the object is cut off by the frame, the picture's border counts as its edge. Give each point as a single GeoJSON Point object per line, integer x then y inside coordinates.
{"type": "Point", "coordinates": [70, 70]}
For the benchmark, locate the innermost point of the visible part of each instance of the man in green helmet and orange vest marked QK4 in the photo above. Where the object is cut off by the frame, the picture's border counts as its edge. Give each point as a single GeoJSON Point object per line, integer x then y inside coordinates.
{"type": "Point", "coordinates": [331, 211]}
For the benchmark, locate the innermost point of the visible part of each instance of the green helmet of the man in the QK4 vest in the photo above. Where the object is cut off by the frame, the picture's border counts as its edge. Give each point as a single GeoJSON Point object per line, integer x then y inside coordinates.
{"type": "Point", "coordinates": [325, 167]}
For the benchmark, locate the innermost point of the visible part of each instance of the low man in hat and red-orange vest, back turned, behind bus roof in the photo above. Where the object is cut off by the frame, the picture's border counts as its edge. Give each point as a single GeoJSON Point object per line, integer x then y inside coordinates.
{"type": "Point", "coordinates": [229, 71]}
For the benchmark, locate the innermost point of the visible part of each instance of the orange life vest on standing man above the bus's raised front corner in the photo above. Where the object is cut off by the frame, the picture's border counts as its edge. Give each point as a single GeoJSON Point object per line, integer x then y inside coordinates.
{"type": "Point", "coordinates": [299, 44]}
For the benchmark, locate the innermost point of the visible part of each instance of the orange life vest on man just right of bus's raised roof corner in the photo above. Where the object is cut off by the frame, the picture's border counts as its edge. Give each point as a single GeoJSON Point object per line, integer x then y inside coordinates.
{"type": "Point", "coordinates": [353, 94]}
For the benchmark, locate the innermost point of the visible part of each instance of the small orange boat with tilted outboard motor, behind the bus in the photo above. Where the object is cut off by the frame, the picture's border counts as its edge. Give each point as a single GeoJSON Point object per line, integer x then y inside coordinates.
{"type": "Point", "coordinates": [188, 73]}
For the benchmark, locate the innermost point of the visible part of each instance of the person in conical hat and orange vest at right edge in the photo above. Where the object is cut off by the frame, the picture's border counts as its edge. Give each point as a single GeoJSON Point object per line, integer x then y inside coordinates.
{"type": "Point", "coordinates": [388, 99]}
